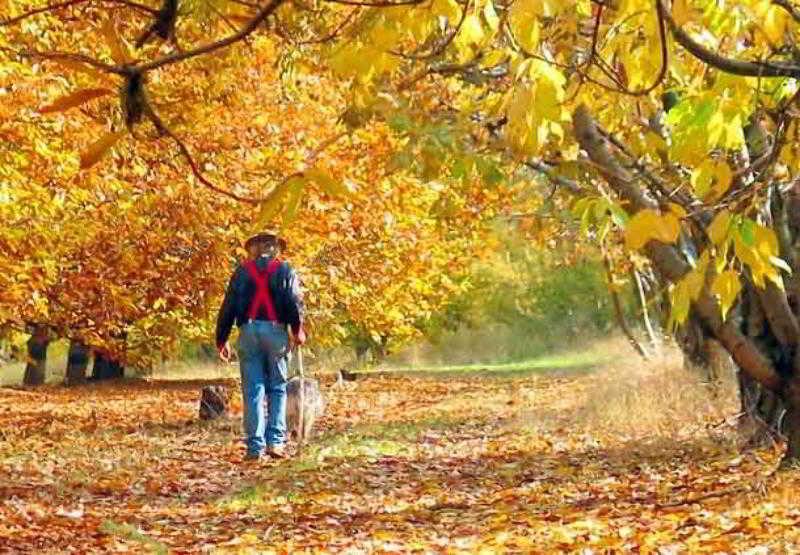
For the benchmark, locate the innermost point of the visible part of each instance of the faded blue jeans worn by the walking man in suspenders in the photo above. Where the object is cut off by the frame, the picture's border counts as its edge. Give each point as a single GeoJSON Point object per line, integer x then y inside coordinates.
{"type": "Point", "coordinates": [263, 349]}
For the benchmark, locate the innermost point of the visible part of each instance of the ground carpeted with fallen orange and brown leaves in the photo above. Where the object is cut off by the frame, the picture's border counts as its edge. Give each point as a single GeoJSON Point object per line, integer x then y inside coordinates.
{"type": "Point", "coordinates": [521, 462]}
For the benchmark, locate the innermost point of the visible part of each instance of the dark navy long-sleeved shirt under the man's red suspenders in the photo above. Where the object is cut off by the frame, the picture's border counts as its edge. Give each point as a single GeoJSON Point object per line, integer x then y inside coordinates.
{"type": "Point", "coordinates": [284, 287]}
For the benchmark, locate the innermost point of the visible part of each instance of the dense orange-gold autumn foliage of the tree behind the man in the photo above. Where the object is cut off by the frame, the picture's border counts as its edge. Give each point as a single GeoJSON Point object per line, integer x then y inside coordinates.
{"type": "Point", "coordinates": [250, 125]}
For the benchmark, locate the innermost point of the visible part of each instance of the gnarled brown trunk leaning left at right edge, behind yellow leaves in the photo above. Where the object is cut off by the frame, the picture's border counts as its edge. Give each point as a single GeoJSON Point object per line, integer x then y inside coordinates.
{"type": "Point", "coordinates": [762, 333]}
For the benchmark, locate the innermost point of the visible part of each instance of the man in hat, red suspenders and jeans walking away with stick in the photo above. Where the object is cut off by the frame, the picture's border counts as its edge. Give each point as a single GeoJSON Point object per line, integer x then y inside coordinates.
{"type": "Point", "coordinates": [263, 299]}
